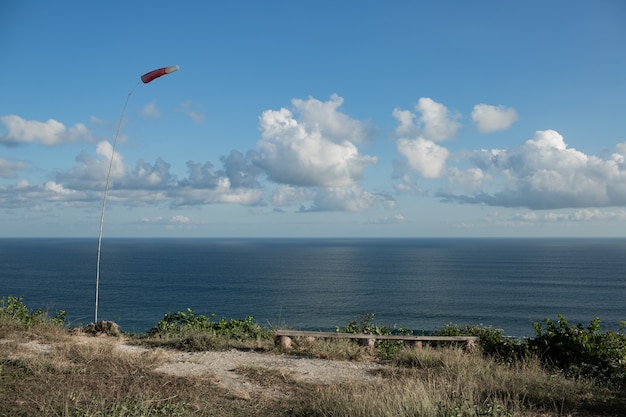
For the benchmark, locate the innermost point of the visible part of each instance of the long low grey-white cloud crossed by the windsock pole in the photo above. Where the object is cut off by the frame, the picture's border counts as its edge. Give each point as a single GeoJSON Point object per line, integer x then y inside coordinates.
{"type": "Point", "coordinates": [152, 183]}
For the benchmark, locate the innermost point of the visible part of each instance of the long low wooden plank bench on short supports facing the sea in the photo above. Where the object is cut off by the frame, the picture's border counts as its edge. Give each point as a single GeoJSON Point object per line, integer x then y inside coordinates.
{"type": "Point", "coordinates": [283, 338]}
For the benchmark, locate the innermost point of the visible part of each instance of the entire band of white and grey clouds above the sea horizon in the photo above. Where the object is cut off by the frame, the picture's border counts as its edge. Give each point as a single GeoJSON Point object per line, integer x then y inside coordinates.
{"type": "Point", "coordinates": [310, 158]}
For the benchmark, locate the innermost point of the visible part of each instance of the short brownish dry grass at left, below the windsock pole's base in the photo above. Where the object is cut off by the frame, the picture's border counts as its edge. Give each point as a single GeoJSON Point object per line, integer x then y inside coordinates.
{"type": "Point", "coordinates": [87, 376]}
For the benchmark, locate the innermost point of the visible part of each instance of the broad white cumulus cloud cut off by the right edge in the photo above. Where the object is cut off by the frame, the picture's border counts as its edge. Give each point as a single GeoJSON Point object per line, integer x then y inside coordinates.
{"type": "Point", "coordinates": [545, 173]}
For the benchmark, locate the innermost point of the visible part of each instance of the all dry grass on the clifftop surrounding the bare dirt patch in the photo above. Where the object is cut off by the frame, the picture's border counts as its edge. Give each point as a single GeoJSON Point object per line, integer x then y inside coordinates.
{"type": "Point", "coordinates": [47, 369]}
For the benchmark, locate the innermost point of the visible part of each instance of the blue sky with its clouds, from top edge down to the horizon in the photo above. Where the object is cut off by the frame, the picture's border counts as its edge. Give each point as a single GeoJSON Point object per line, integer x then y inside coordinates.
{"type": "Point", "coordinates": [325, 118]}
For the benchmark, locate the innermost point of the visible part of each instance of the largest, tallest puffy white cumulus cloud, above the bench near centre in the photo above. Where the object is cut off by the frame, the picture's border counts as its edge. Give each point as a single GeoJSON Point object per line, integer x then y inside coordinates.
{"type": "Point", "coordinates": [316, 149]}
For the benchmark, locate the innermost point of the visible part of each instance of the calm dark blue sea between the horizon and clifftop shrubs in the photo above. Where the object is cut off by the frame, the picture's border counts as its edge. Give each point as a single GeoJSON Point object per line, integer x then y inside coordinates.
{"type": "Point", "coordinates": [317, 284]}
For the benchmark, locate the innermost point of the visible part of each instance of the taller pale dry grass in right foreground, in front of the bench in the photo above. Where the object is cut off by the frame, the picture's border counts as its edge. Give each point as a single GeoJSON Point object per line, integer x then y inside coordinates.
{"type": "Point", "coordinates": [449, 382]}
